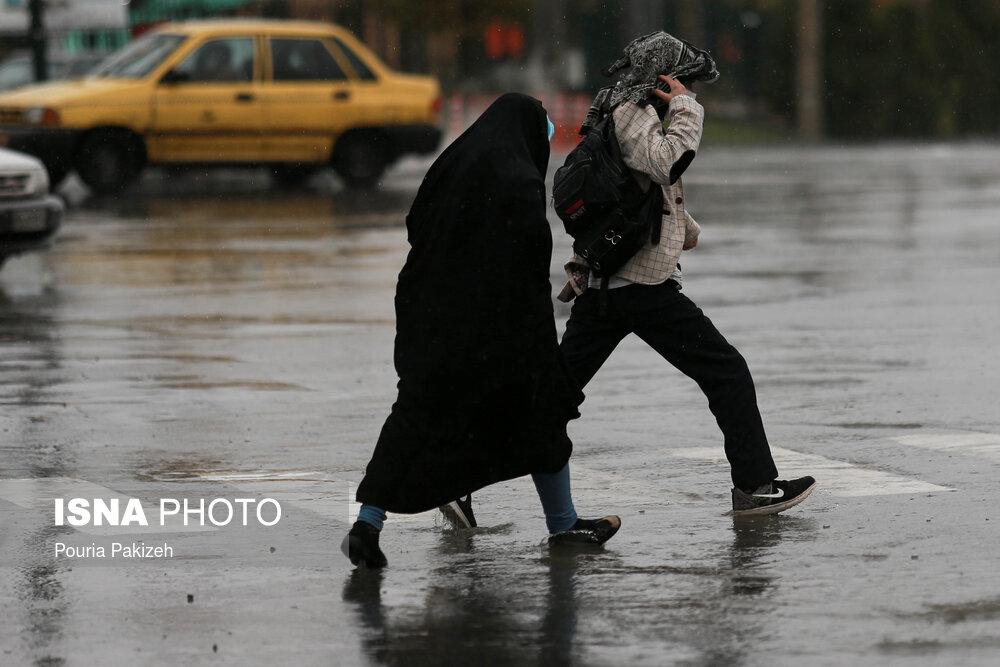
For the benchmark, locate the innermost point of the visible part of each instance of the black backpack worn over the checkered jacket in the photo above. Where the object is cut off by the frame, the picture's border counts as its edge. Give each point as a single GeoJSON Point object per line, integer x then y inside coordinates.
{"type": "Point", "coordinates": [601, 204]}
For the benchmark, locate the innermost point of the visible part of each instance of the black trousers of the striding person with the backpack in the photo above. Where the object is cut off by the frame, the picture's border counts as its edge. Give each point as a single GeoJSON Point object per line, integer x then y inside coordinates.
{"type": "Point", "coordinates": [675, 327]}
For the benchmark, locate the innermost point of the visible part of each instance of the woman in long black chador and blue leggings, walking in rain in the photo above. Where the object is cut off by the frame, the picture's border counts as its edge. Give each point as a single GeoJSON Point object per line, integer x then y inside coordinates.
{"type": "Point", "coordinates": [484, 395]}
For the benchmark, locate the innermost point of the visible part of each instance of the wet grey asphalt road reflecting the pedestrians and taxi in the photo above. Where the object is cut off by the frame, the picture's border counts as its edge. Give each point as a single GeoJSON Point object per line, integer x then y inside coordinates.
{"type": "Point", "coordinates": [212, 337]}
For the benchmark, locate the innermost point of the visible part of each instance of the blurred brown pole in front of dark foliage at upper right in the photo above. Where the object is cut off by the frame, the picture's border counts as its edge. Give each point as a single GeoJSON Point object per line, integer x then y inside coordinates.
{"type": "Point", "coordinates": [809, 69]}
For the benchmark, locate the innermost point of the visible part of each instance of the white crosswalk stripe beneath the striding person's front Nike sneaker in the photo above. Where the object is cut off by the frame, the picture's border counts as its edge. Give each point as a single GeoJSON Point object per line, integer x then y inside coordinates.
{"type": "Point", "coordinates": [834, 477]}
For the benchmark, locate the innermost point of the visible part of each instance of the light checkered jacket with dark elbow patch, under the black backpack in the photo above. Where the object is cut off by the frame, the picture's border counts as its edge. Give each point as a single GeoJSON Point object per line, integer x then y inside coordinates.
{"type": "Point", "coordinates": [652, 154]}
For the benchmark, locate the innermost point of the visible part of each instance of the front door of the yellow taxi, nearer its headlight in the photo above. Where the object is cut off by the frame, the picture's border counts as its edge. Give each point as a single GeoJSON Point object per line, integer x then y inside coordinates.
{"type": "Point", "coordinates": [208, 108]}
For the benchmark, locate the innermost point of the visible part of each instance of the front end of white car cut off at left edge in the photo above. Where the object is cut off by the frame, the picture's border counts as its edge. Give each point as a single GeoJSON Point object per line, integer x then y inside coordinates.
{"type": "Point", "coordinates": [29, 215]}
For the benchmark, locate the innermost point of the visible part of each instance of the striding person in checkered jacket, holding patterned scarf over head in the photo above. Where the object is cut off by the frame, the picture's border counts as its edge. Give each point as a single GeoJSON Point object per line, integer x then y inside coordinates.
{"type": "Point", "coordinates": [643, 296]}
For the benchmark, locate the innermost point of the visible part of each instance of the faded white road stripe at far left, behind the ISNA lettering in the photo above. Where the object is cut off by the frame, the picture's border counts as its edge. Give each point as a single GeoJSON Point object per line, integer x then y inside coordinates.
{"type": "Point", "coordinates": [40, 494]}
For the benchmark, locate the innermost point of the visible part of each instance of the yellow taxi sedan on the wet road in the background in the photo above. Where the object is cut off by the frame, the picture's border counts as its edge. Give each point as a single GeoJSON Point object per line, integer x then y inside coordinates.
{"type": "Point", "coordinates": [292, 96]}
